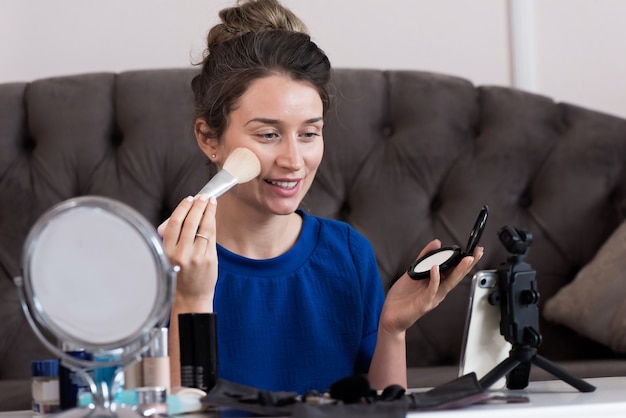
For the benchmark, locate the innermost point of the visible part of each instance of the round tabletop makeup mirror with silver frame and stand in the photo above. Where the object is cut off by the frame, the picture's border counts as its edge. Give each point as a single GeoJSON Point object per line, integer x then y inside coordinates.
{"type": "Point", "coordinates": [95, 276]}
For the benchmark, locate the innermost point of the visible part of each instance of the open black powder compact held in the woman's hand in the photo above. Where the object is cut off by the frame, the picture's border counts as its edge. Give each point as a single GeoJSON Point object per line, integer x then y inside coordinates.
{"type": "Point", "coordinates": [448, 257]}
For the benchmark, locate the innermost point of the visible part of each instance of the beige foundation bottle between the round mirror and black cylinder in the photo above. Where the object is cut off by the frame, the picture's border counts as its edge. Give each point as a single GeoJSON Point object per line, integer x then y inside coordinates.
{"type": "Point", "coordinates": [156, 362]}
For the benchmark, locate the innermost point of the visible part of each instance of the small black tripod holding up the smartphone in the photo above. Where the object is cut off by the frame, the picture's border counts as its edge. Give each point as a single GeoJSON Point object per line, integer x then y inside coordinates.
{"type": "Point", "coordinates": [519, 318]}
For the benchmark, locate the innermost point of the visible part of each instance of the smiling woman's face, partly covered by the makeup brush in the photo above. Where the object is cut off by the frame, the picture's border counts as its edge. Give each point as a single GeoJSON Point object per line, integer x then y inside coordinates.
{"type": "Point", "coordinates": [280, 120]}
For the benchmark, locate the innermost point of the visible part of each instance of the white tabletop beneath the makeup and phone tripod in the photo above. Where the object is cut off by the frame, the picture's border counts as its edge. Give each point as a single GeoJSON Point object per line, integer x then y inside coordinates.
{"type": "Point", "coordinates": [547, 399]}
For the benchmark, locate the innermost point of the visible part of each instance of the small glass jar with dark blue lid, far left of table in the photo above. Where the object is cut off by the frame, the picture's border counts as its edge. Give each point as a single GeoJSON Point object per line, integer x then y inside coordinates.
{"type": "Point", "coordinates": [45, 386]}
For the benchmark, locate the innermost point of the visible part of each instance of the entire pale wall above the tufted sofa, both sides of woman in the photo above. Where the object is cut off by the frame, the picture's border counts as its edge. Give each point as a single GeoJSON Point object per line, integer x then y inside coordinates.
{"type": "Point", "coordinates": [571, 48]}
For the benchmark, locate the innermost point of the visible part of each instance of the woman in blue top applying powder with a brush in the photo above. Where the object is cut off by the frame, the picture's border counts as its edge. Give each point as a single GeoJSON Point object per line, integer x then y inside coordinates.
{"type": "Point", "coordinates": [299, 300]}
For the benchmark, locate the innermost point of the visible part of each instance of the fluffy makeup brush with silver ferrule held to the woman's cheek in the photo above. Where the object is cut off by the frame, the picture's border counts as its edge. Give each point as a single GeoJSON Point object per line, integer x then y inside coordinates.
{"type": "Point", "coordinates": [241, 166]}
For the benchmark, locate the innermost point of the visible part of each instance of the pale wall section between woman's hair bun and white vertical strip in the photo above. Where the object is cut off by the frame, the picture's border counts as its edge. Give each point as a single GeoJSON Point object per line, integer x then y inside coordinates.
{"type": "Point", "coordinates": [432, 35]}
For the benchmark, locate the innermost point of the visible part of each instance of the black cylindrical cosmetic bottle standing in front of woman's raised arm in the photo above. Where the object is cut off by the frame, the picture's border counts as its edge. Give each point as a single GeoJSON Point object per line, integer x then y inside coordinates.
{"type": "Point", "coordinates": [198, 350]}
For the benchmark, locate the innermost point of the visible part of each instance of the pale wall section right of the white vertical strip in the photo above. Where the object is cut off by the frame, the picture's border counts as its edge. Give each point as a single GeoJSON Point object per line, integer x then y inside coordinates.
{"type": "Point", "coordinates": [581, 53]}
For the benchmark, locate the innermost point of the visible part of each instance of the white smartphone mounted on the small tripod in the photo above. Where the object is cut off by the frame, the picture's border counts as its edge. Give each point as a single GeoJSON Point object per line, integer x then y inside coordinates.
{"type": "Point", "coordinates": [484, 347]}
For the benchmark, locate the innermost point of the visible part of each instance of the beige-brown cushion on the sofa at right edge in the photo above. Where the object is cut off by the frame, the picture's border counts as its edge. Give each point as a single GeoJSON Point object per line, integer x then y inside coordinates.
{"type": "Point", "coordinates": [594, 304]}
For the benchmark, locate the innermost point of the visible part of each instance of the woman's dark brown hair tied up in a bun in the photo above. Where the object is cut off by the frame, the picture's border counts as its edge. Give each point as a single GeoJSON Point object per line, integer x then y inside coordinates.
{"type": "Point", "coordinates": [245, 47]}
